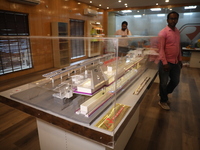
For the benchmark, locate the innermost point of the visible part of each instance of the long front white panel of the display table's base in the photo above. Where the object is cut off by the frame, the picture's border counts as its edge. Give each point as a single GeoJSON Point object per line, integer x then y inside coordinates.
{"type": "Point", "coordinates": [52, 137]}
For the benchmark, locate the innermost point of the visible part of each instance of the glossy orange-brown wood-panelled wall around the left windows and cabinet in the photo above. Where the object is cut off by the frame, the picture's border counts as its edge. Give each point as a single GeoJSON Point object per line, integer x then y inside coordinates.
{"type": "Point", "coordinates": [40, 18]}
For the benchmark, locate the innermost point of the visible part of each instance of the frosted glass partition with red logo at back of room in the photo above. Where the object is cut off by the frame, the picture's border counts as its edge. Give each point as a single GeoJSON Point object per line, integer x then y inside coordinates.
{"type": "Point", "coordinates": [145, 22]}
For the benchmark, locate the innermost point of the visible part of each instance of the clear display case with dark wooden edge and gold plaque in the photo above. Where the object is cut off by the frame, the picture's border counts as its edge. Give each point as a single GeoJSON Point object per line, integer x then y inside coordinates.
{"type": "Point", "coordinates": [97, 97]}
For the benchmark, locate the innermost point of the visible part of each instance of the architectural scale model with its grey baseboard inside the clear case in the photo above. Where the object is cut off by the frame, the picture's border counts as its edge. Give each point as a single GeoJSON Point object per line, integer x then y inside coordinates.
{"type": "Point", "coordinates": [94, 83]}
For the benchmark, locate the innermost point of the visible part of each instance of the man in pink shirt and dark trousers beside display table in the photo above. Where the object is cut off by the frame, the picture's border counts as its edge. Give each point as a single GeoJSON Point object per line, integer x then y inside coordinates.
{"type": "Point", "coordinates": [170, 59]}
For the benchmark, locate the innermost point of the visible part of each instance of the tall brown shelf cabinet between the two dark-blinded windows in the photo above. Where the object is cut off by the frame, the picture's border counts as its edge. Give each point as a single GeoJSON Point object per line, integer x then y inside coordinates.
{"type": "Point", "coordinates": [60, 45]}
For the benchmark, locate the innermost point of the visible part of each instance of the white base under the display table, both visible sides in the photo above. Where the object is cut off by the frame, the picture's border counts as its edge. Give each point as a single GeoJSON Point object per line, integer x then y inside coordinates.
{"type": "Point", "coordinates": [52, 137]}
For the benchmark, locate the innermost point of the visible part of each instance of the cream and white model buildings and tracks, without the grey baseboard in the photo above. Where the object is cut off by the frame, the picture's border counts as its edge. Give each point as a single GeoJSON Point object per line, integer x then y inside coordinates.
{"type": "Point", "coordinates": [100, 80]}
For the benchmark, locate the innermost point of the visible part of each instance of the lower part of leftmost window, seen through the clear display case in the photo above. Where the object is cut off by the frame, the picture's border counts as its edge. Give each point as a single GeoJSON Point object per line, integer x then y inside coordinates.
{"type": "Point", "coordinates": [15, 55]}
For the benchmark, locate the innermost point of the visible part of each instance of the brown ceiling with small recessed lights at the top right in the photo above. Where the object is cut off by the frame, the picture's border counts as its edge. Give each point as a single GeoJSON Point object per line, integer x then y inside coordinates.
{"type": "Point", "coordinates": [114, 4]}
